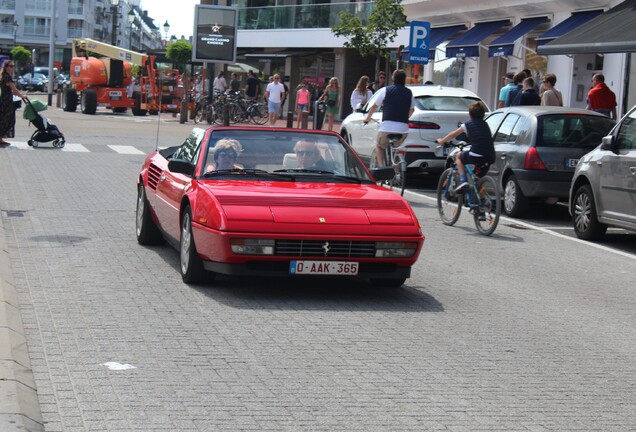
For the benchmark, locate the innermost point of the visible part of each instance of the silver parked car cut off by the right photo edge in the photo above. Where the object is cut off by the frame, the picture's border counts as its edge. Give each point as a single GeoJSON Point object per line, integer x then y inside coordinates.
{"type": "Point", "coordinates": [603, 191]}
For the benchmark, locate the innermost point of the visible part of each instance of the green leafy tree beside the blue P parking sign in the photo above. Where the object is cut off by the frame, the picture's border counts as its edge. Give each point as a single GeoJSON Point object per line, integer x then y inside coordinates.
{"type": "Point", "coordinates": [371, 36]}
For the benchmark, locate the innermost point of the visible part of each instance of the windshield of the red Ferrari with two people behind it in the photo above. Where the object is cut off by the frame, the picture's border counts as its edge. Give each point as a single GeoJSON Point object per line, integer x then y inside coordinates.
{"type": "Point", "coordinates": [312, 156]}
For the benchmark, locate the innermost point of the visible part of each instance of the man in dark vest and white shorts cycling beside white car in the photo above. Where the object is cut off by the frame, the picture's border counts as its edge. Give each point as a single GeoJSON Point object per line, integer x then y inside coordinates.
{"type": "Point", "coordinates": [397, 106]}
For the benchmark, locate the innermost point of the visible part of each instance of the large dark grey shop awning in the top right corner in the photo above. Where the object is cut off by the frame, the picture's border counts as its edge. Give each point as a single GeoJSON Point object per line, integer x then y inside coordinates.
{"type": "Point", "coordinates": [612, 32]}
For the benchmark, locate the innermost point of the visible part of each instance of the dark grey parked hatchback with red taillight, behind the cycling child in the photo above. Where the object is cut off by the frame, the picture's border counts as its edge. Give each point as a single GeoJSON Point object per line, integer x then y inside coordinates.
{"type": "Point", "coordinates": [537, 149]}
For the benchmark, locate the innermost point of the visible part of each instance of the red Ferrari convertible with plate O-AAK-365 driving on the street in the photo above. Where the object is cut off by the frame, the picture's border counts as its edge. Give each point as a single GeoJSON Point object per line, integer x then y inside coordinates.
{"type": "Point", "coordinates": [272, 202]}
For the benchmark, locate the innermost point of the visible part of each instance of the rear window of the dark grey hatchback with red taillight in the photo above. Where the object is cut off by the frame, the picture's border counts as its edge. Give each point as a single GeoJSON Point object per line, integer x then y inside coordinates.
{"type": "Point", "coordinates": [572, 130]}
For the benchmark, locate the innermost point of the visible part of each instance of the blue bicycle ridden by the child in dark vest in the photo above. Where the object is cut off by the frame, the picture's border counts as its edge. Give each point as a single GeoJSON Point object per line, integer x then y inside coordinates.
{"type": "Point", "coordinates": [482, 197]}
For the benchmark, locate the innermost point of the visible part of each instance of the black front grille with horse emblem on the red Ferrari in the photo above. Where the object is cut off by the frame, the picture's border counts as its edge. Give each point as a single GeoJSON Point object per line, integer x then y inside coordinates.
{"type": "Point", "coordinates": [325, 248]}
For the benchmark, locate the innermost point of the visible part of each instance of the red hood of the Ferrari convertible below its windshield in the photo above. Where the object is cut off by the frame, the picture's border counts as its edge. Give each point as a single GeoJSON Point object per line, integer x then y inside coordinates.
{"type": "Point", "coordinates": [318, 208]}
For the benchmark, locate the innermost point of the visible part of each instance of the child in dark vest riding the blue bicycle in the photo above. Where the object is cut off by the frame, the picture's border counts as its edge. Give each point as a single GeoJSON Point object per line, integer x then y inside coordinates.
{"type": "Point", "coordinates": [482, 147]}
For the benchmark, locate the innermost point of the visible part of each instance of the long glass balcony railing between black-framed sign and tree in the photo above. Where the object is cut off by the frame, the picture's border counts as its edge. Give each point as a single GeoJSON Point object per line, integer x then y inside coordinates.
{"type": "Point", "coordinates": [300, 16]}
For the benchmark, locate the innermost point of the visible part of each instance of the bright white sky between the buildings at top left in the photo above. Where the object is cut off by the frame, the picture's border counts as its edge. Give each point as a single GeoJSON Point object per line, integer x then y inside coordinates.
{"type": "Point", "coordinates": [179, 13]}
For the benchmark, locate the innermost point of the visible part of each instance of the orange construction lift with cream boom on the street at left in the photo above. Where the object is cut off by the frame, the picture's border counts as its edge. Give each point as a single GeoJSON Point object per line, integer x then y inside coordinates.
{"type": "Point", "coordinates": [107, 80]}
